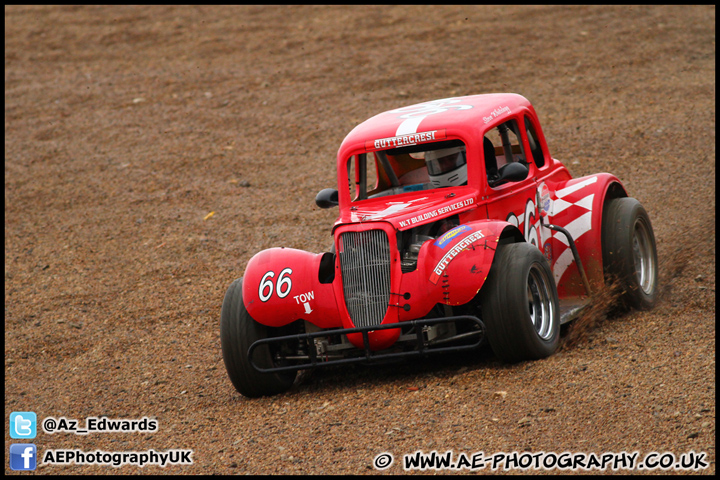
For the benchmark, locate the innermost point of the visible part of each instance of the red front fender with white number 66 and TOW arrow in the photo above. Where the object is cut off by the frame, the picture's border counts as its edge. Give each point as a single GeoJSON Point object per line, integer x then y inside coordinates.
{"type": "Point", "coordinates": [282, 285]}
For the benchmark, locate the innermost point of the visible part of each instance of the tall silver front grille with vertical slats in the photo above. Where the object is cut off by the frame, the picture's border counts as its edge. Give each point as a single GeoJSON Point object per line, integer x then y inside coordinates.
{"type": "Point", "coordinates": [365, 270]}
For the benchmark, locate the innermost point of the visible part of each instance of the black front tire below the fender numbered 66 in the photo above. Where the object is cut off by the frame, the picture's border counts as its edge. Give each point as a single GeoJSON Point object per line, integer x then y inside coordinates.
{"type": "Point", "coordinates": [238, 331]}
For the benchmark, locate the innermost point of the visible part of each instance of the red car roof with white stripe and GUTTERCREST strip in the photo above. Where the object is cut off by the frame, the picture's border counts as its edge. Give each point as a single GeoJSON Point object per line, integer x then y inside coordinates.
{"type": "Point", "coordinates": [455, 116]}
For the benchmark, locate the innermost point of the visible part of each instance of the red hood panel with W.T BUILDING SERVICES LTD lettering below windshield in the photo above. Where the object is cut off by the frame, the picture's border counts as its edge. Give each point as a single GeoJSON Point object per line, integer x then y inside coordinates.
{"type": "Point", "coordinates": [410, 210]}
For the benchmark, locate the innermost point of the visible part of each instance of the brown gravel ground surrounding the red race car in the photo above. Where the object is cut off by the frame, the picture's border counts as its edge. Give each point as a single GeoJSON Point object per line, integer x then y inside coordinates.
{"type": "Point", "coordinates": [126, 126]}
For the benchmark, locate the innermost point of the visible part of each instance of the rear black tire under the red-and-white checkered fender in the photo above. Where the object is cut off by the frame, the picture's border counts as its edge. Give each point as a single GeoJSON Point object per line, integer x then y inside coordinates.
{"type": "Point", "coordinates": [629, 252]}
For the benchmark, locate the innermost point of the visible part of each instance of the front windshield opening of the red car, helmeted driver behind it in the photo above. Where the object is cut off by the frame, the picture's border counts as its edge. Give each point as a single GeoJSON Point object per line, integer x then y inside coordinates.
{"type": "Point", "coordinates": [407, 169]}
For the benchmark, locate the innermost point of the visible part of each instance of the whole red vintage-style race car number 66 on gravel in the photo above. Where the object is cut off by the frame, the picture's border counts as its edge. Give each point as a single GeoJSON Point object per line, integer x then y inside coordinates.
{"type": "Point", "coordinates": [456, 227]}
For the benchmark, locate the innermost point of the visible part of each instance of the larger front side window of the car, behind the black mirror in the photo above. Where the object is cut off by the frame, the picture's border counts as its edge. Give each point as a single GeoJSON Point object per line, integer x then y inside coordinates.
{"type": "Point", "coordinates": [502, 146]}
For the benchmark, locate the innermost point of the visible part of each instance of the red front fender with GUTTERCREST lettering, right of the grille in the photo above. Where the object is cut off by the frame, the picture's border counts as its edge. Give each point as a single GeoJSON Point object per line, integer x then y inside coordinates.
{"type": "Point", "coordinates": [452, 268]}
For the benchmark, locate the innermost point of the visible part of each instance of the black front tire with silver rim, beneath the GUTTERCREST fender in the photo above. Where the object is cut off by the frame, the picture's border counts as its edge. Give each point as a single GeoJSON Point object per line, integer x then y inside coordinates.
{"type": "Point", "coordinates": [520, 304]}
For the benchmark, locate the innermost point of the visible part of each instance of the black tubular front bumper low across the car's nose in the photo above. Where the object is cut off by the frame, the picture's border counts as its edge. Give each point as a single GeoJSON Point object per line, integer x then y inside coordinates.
{"type": "Point", "coordinates": [366, 355]}
